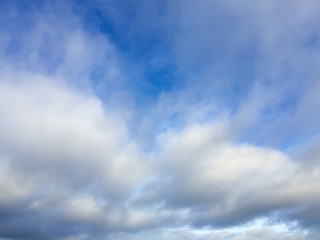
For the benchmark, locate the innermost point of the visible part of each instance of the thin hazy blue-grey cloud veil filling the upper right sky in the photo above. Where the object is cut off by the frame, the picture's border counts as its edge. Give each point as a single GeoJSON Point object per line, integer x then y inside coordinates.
{"type": "Point", "coordinates": [250, 59]}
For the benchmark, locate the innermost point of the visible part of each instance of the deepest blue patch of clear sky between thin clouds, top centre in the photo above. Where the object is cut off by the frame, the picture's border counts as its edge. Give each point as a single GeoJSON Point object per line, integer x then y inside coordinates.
{"type": "Point", "coordinates": [140, 44]}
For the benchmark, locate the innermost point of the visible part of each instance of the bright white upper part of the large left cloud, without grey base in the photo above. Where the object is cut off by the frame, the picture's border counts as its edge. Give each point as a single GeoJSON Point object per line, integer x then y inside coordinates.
{"type": "Point", "coordinates": [52, 128]}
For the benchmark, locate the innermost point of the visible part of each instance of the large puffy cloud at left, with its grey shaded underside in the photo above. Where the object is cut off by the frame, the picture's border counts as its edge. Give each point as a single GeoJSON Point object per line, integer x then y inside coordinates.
{"type": "Point", "coordinates": [67, 144]}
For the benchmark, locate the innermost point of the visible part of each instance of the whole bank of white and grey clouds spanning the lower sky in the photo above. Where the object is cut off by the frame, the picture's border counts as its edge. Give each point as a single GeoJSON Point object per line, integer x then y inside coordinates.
{"type": "Point", "coordinates": [88, 172]}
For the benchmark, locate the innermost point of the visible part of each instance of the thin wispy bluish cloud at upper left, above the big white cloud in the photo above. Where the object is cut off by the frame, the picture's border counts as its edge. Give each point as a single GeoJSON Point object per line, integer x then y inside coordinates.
{"type": "Point", "coordinates": [50, 39]}
